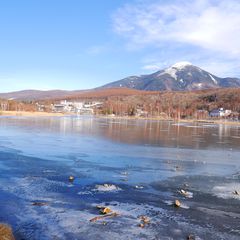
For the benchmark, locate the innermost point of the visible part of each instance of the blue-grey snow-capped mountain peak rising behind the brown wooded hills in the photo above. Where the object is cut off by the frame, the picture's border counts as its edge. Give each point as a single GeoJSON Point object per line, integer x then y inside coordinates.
{"type": "Point", "coordinates": [182, 76]}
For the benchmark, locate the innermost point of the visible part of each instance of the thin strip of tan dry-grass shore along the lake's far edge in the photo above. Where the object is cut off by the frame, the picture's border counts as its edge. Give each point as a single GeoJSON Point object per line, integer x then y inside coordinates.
{"type": "Point", "coordinates": [52, 114]}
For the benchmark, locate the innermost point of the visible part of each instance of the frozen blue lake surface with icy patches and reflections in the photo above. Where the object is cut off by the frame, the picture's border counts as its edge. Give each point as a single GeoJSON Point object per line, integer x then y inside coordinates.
{"type": "Point", "coordinates": [148, 162]}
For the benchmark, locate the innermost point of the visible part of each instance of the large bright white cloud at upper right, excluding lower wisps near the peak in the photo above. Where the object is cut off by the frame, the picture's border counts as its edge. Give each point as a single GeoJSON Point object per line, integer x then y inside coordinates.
{"type": "Point", "coordinates": [209, 24]}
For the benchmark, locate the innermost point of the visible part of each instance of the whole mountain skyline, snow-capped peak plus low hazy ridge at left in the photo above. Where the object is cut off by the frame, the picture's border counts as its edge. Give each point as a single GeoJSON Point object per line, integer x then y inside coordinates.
{"type": "Point", "coordinates": [182, 76]}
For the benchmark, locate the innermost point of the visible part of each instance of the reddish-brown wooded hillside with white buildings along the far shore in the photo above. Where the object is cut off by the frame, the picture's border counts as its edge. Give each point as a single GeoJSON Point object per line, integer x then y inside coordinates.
{"type": "Point", "coordinates": [207, 104]}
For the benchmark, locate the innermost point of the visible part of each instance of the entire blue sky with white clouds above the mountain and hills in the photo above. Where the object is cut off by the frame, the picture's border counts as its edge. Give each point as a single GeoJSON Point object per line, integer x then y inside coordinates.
{"type": "Point", "coordinates": [81, 44]}
